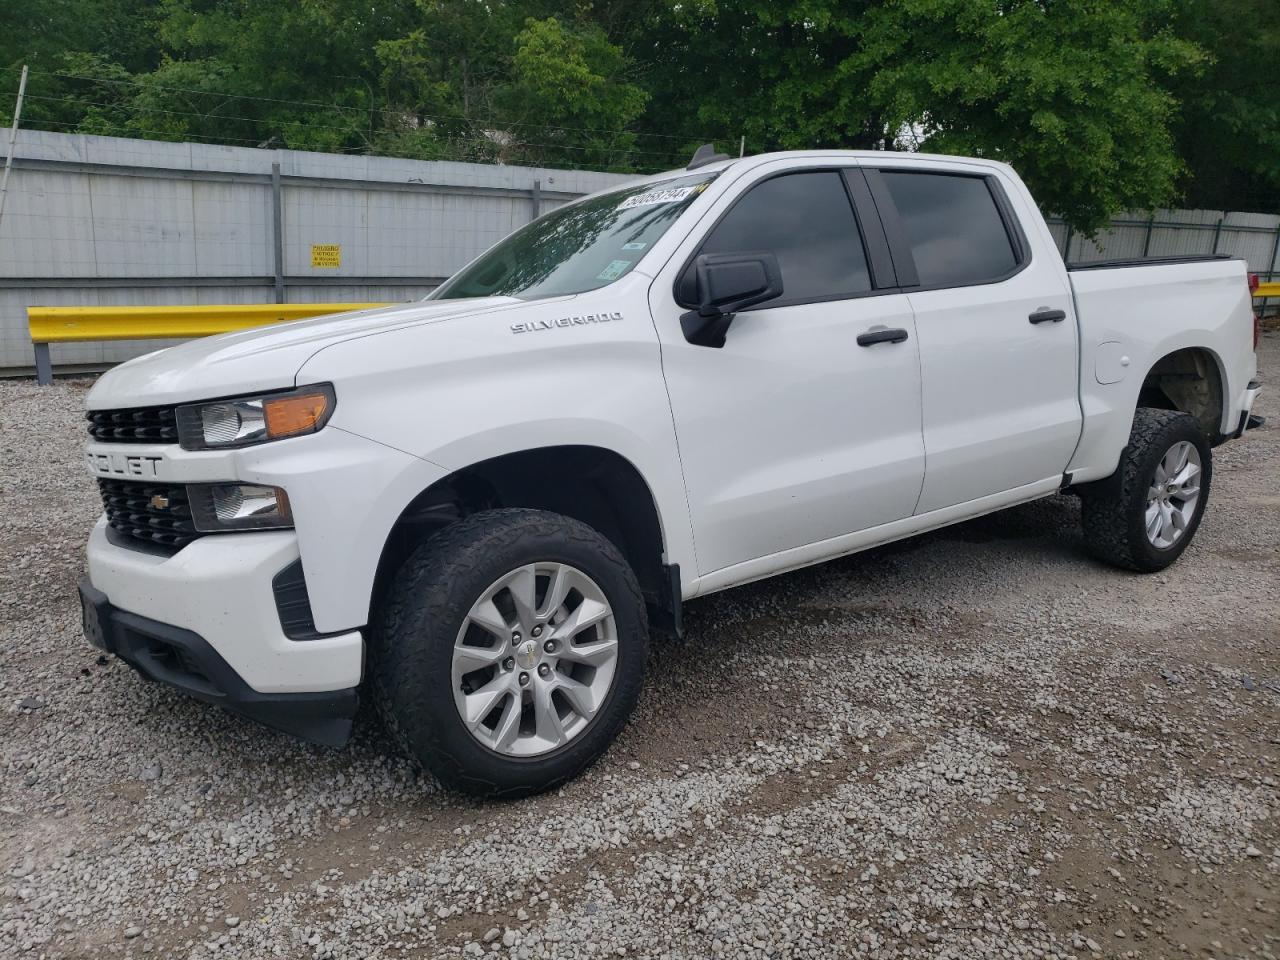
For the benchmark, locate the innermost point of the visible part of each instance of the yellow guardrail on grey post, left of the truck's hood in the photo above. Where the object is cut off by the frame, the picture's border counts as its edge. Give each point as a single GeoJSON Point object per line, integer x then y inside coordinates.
{"type": "Point", "coordinates": [80, 324]}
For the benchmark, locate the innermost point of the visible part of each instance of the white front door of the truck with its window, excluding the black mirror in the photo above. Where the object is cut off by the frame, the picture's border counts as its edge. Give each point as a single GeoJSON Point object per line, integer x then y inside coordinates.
{"type": "Point", "coordinates": [794, 433]}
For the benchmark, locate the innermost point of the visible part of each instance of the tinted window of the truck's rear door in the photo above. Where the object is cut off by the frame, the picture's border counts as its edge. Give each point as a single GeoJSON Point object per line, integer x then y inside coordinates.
{"type": "Point", "coordinates": [954, 228]}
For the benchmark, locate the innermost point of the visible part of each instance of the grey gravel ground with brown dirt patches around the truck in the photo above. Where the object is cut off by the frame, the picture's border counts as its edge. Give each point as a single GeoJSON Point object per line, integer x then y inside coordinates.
{"type": "Point", "coordinates": [973, 744]}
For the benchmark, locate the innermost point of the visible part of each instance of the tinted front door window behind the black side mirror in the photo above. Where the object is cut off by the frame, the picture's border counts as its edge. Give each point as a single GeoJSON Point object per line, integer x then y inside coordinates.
{"type": "Point", "coordinates": [807, 221]}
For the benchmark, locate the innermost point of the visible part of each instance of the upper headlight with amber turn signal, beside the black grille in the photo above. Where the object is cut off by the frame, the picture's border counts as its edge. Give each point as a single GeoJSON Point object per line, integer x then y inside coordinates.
{"type": "Point", "coordinates": [244, 422]}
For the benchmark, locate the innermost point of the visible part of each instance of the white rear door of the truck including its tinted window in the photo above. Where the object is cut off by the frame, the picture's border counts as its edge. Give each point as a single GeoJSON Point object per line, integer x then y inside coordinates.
{"type": "Point", "coordinates": [996, 328]}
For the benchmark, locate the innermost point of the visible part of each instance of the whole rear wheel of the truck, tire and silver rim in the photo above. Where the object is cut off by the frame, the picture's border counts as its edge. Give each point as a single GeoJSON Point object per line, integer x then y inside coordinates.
{"type": "Point", "coordinates": [1148, 513]}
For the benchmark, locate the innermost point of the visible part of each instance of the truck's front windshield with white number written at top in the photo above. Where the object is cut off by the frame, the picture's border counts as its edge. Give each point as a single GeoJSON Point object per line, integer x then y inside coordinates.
{"type": "Point", "coordinates": [579, 248]}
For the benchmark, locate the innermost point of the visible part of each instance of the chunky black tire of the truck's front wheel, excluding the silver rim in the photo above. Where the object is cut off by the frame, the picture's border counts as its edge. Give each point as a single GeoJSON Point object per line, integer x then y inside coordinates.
{"type": "Point", "coordinates": [418, 623]}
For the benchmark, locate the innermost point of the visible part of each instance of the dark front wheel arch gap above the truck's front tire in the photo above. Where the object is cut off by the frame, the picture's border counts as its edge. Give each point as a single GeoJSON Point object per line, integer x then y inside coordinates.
{"type": "Point", "coordinates": [593, 484]}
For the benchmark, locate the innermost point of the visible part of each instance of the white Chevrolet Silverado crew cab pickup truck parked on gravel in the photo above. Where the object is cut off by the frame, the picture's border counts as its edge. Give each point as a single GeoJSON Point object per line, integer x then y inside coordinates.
{"type": "Point", "coordinates": [474, 509]}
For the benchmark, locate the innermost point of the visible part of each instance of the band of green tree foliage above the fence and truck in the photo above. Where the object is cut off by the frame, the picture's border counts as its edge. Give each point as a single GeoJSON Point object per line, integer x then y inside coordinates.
{"type": "Point", "coordinates": [1103, 106]}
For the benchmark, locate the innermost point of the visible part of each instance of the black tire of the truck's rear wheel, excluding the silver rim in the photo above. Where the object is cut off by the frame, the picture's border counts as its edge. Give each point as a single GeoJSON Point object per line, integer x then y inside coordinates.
{"type": "Point", "coordinates": [1114, 510]}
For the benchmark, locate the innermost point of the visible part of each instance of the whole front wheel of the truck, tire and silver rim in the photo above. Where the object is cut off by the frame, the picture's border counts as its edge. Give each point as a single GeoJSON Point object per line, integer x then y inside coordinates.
{"type": "Point", "coordinates": [510, 652]}
